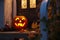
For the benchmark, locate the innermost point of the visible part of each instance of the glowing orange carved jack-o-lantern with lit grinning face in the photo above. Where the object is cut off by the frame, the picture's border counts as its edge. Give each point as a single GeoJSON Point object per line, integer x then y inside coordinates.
{"type": "Point", "coordinates": [20, 22]}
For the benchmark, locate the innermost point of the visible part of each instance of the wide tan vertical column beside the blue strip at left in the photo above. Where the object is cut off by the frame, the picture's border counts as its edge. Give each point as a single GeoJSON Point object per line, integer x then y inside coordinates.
{"type": "Point", "coordinates": [8, 12]}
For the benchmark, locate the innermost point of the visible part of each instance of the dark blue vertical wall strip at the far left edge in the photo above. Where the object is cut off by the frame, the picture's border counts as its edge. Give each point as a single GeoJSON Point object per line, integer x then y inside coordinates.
{"type": "Point", "coordinates": [1, 13]}
